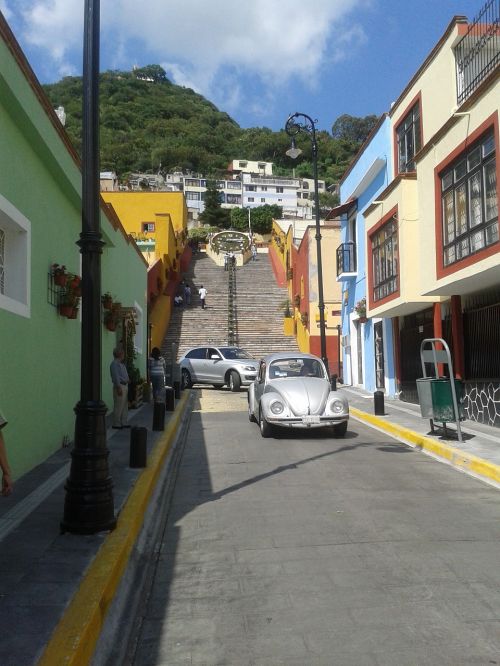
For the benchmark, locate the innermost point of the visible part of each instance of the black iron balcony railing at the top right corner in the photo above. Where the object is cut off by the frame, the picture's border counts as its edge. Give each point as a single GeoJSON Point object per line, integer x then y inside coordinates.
{"type": "Point", "coordinates": [478, 52]}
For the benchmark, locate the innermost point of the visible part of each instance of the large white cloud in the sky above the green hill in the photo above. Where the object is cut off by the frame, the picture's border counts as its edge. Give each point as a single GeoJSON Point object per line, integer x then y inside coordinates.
{"type": "Point", "coordinates": [199, 41]}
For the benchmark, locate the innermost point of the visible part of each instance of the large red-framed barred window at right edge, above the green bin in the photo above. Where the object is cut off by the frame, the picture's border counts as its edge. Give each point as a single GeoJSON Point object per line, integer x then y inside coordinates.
{"type": "Point", "coordinates": [469, 202]}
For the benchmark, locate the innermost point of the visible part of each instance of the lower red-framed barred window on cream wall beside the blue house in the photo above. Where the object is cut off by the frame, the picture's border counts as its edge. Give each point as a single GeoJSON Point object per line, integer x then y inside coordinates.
{"type": "Point", "coordinates": [384, 244]}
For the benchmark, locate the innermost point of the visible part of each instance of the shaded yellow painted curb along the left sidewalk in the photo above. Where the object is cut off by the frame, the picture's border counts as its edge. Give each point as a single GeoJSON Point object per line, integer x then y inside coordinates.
{"type": "Point", "coordinates": [75, 637]}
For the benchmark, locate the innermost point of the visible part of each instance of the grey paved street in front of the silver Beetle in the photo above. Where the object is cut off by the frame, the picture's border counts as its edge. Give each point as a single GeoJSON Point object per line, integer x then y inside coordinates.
{"type": "Point", "coordinates": [308, 550]}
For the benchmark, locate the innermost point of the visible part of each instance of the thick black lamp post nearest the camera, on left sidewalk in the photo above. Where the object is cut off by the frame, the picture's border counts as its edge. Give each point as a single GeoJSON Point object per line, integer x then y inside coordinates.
{"type": "Point", "coordinates": [89, 504]}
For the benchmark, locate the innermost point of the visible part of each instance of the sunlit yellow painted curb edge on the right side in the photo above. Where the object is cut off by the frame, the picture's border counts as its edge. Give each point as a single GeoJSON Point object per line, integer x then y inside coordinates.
{"type": "Point", "coordinates": [464, 461]}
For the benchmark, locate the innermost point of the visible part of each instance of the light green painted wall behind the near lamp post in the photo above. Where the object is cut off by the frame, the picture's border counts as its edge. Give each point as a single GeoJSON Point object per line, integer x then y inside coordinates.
{"type": "Point", "coordinates": [40, 183]}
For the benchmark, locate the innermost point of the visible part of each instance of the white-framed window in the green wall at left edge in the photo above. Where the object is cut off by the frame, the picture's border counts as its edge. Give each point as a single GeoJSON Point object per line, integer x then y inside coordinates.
{"type": "Point", "coordinates": [15, 239]}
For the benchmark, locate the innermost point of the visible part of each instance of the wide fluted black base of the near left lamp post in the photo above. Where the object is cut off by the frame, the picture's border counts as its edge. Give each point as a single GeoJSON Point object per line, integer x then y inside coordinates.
{"type": "Point", "coordinates": [89, 507]}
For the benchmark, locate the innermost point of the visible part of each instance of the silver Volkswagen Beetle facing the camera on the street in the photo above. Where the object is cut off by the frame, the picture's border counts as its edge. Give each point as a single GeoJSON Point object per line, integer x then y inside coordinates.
{"type": "Point", "coordinates": [293, 391]}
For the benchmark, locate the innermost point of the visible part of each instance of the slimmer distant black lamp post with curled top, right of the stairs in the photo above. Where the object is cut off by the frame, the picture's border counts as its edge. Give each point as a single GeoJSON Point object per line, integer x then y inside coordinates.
{"type": "Point", "coordinates": [296, 123]}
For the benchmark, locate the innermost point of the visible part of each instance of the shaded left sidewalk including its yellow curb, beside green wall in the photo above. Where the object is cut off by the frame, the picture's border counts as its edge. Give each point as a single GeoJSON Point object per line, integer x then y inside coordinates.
{"type": "Point", "coordinates": [55, 589]}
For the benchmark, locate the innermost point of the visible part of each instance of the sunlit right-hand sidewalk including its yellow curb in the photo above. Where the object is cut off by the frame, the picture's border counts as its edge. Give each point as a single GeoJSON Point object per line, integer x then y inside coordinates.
{"type": "Point", "coordinates": [478, 454]}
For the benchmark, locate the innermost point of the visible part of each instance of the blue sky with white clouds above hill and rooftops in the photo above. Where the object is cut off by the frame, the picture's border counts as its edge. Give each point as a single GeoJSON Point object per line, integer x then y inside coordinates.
{"type": "Point", "coordinates": [258, 61]}
